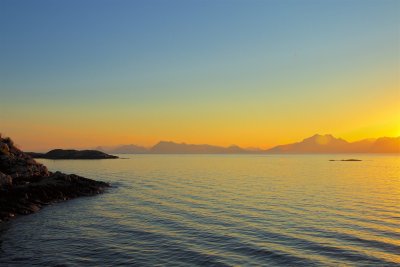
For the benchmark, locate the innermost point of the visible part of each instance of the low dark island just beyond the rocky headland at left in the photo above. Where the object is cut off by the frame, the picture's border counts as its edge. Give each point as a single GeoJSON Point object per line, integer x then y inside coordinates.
{"type": "Point", "coordinates": [72, 154]}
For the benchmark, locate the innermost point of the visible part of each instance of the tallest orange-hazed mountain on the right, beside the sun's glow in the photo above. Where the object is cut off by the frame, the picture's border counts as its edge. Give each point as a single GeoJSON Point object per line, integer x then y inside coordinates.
{"type": "Point", "coordinates": [329, 144]}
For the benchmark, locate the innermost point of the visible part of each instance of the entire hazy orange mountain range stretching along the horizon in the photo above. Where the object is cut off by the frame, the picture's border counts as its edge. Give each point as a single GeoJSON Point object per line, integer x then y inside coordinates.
{"type": "Point", "coordinates": [314, 144]}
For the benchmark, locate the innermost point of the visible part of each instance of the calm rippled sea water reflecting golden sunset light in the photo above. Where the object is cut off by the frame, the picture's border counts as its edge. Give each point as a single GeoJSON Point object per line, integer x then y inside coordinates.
{"type": "Point", "coordinates": [218, 210]}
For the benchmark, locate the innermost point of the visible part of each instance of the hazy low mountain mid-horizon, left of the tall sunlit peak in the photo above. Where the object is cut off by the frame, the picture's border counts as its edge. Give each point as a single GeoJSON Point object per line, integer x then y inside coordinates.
{"type": "Point", "coordinates": [164, 147]}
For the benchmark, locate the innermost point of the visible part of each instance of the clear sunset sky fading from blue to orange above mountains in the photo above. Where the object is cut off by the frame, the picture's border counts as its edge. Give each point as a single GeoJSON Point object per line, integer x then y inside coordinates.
{"type": "Point", "coordinates": [253, 73]}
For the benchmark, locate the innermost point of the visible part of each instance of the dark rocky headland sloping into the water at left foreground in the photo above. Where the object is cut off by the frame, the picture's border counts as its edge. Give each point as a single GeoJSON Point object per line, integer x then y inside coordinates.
{"type": "Point", "coordinates": [26, 185]}
